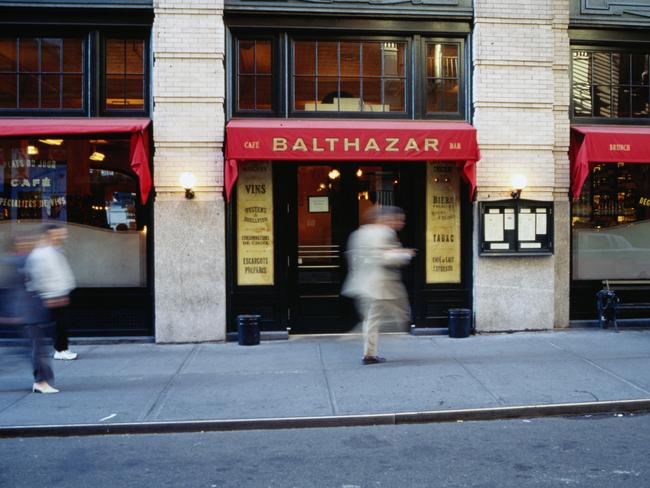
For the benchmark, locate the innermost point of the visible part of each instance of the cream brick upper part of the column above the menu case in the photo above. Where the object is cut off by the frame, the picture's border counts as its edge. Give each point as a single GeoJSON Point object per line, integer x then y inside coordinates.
{"type": "Point", "coordinates": [520, 95]}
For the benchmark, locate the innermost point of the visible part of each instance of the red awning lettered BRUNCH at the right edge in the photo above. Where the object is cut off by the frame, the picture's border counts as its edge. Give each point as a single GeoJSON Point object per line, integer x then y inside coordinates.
{"type": "Point", "coordinates": [605, 144]}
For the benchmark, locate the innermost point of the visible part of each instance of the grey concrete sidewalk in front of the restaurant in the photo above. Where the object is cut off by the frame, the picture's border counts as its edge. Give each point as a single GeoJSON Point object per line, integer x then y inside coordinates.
{"type": "Point", "coordinates": [323, 376]}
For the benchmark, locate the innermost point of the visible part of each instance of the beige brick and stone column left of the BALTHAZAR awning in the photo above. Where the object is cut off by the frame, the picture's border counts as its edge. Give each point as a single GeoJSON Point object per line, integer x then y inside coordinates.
{"type": "Point", "coordinates": [189, 244]}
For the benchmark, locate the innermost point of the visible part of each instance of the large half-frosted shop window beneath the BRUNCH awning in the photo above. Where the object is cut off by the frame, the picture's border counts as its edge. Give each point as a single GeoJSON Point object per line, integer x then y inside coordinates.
{"type": "Point", "coordinates": [611, 224]}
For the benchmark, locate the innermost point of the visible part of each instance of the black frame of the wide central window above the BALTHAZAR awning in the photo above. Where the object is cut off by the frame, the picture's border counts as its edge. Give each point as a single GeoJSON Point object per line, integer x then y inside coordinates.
{"type": "Point", "coordinates": [408, 79]}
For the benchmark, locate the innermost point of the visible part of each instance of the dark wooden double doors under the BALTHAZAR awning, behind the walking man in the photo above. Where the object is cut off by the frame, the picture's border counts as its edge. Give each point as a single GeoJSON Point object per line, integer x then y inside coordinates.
{"type": "Point", "coordinates": [328, 204]}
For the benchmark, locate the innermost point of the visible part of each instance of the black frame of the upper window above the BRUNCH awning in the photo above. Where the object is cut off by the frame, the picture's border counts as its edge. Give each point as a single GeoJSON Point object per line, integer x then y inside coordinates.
{"type": "Point", "coordinates": [610, 49]}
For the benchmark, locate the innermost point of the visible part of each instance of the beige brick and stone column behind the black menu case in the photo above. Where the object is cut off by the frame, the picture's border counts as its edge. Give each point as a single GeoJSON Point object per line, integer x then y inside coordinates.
{"type": "Point", "coordinates": [520, 99]}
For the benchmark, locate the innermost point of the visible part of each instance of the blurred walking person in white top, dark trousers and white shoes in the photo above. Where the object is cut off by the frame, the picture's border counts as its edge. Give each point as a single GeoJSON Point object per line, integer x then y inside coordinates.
{"type": "Point", "coordinates": [51, 277]}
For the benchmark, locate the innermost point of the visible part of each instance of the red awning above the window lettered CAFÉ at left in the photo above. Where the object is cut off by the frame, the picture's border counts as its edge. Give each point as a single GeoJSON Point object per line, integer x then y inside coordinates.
{"type": "Point", "coordinates": [136, 128]}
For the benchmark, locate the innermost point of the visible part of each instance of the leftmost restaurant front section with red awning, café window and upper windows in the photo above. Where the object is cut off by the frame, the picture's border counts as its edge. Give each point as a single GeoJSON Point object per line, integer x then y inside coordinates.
{"type": "Point", "coordinates": [75, 140]}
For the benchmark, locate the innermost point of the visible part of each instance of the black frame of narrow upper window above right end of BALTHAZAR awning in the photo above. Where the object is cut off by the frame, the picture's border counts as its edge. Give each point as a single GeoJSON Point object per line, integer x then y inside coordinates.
{"type": "Point", "coordinates": [462, 78]}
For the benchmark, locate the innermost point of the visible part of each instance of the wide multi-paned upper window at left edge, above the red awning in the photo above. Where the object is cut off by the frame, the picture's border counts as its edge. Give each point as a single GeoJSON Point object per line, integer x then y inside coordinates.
{"type": "Point", "coordinates": [41, 73]}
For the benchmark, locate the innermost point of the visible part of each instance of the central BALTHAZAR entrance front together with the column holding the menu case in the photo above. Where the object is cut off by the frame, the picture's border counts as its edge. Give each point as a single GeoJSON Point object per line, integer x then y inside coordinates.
{"type": "Point", "coordinates": [330, 118]}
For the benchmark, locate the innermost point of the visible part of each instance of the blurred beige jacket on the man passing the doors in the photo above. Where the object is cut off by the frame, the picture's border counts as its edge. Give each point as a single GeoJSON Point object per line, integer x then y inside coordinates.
{"type": "Point", "coordinates": [375, 257]}
